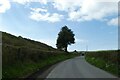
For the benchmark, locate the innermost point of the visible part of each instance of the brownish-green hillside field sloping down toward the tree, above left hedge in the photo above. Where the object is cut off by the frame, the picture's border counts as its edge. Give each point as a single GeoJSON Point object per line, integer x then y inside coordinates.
{"type": "Point", "coordinates": [19, 41]}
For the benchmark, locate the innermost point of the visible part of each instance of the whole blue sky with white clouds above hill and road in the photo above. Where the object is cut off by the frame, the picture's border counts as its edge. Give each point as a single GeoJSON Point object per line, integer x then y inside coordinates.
{"type": "Point", "coordinates": [94, 22]}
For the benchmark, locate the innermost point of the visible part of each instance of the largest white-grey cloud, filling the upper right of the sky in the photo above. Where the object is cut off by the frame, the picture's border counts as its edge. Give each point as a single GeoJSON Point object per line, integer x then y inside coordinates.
{"type": "Point", "coordinates": [93, 11]}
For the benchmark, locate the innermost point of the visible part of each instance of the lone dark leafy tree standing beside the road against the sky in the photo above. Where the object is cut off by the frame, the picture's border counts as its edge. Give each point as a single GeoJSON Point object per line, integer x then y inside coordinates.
{"type": "Point", "coordinates": [65, 38]}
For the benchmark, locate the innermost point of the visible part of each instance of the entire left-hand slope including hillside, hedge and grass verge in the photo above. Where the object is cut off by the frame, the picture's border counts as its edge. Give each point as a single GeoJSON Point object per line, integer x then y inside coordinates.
{"type": "Point", "coordinates": [22, 56]}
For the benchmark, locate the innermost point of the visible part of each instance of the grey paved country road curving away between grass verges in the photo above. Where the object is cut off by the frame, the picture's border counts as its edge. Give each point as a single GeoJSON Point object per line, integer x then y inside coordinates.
{"type": "Point", "coordinates": [77, 68]}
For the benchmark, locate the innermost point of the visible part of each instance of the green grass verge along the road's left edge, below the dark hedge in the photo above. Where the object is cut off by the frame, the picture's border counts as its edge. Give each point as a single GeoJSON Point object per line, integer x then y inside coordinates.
{"type": "Point", "coordinates": [21, 70]}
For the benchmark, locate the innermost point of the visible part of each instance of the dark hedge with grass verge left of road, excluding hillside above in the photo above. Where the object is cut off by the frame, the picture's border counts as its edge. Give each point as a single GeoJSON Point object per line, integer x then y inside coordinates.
{"type": "Point", "coordinates": [28, 60]}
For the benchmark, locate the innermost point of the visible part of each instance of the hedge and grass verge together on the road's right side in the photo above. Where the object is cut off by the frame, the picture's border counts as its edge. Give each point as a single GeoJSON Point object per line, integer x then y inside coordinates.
{"type": "Point", "coordinates": [106, 60]}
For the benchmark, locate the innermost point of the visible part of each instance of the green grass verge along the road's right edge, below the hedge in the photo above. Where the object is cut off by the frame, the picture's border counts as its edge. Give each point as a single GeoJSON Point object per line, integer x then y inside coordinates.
{"type": "Point", "coordinates": [105, 65]}
